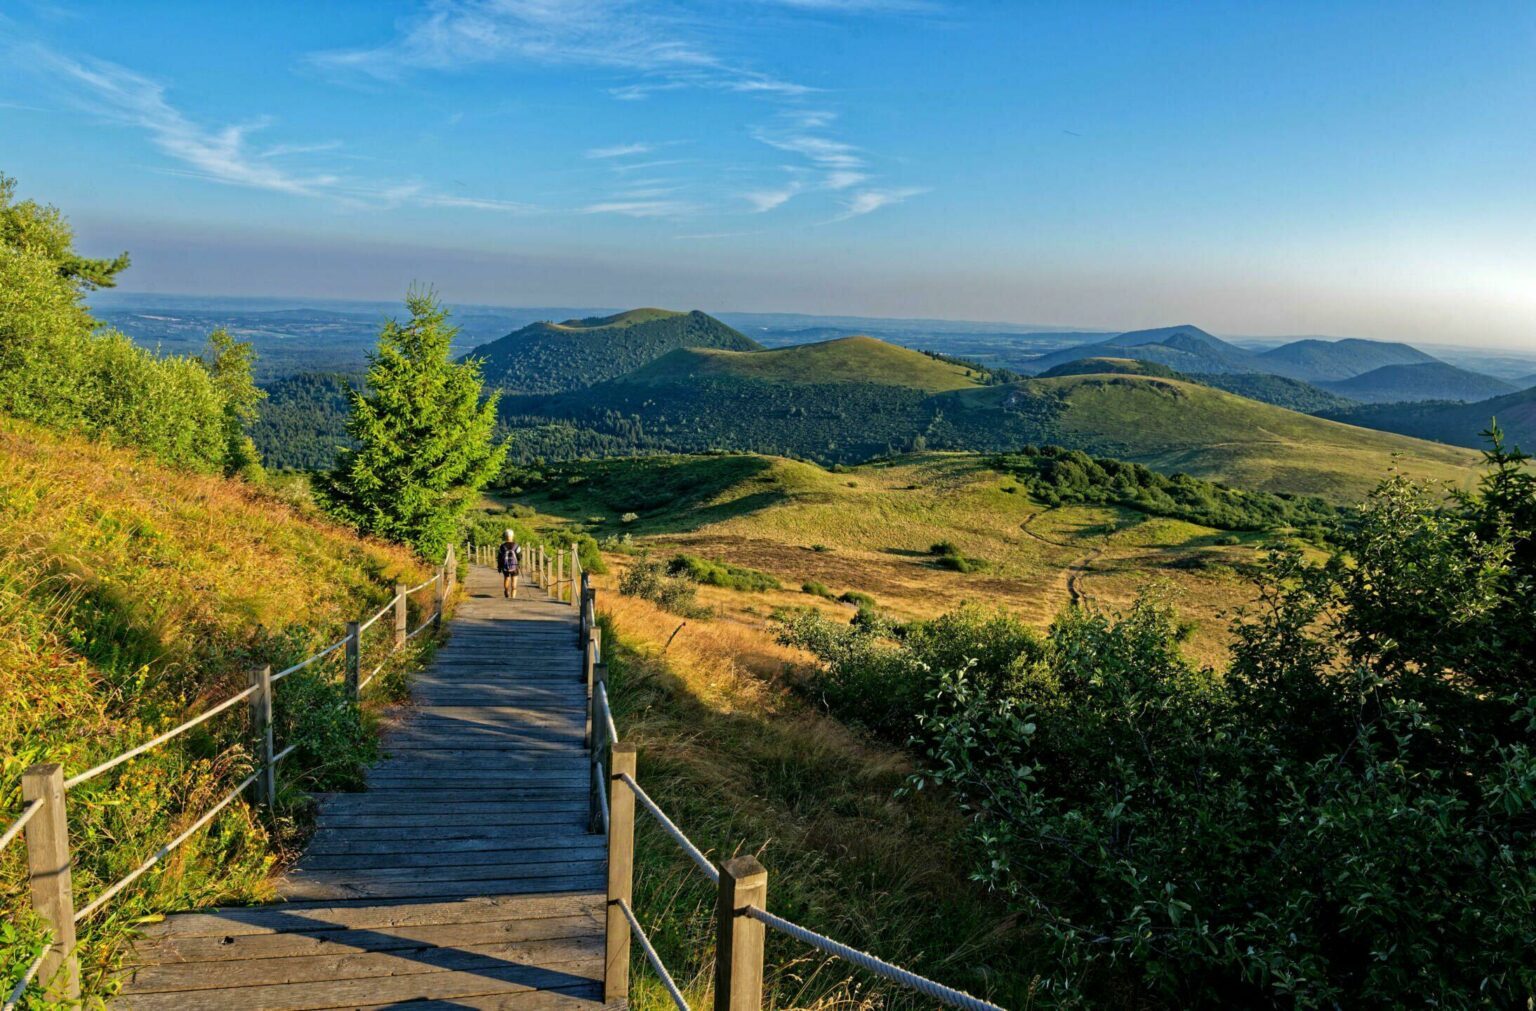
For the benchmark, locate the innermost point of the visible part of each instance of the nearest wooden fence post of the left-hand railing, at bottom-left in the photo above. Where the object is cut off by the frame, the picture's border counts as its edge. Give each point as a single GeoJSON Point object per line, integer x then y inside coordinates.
{"type": "Point", "coordinates": [48, 872]}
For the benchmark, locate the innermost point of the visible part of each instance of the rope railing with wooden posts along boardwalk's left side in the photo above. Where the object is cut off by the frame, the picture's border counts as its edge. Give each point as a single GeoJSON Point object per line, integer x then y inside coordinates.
{"type": "Point", "coordinates": [50, 789]}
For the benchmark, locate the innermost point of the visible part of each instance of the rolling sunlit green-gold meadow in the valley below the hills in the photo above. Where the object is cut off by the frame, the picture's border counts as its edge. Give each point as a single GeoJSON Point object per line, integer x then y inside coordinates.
{"type": "Point", "coordinates": [872, 531]}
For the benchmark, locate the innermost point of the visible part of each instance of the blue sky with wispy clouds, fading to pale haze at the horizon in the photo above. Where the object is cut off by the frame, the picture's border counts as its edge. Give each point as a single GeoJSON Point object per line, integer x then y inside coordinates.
{"type": "Point", "coordinates": [1296, 168]}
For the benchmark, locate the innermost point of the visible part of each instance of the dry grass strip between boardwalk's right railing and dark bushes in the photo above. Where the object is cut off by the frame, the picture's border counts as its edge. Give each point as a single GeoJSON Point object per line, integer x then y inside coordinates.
{"type": "Point", "coordinates": [746, 766]}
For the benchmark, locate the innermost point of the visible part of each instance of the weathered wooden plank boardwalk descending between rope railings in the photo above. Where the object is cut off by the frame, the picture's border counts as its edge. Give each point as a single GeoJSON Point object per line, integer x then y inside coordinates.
{"type": "Point", "coordinates": [463, 878]}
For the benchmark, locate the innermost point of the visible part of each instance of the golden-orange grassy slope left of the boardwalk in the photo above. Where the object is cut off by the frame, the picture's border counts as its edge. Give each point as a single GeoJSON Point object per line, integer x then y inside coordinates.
{"type": "Point", "coordinates": [134, 597]}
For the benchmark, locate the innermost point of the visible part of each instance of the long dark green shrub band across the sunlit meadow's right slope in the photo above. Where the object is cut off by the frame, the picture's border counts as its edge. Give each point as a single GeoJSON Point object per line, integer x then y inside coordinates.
{"type": "Point", "coordinates": [1058, 476]}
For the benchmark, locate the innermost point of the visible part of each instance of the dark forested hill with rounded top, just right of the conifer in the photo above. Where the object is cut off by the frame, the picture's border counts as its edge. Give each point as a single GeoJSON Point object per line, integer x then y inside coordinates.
{"type": "Point", "coordinates": [572, 356]}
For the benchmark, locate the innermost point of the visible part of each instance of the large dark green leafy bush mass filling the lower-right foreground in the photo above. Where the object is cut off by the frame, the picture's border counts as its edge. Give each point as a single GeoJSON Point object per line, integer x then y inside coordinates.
{"type": "Point", "coordinates": [1343, 817]}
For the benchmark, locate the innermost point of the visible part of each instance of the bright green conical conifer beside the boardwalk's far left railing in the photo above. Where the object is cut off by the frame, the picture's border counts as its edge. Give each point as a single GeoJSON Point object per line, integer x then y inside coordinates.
{"type": "Point", "coordinates": [423, 436]}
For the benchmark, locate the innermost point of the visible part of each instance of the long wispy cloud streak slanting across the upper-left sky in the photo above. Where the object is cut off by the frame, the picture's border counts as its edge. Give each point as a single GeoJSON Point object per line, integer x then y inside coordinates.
{"type": "Point", "coordinates": [225, 154]}
